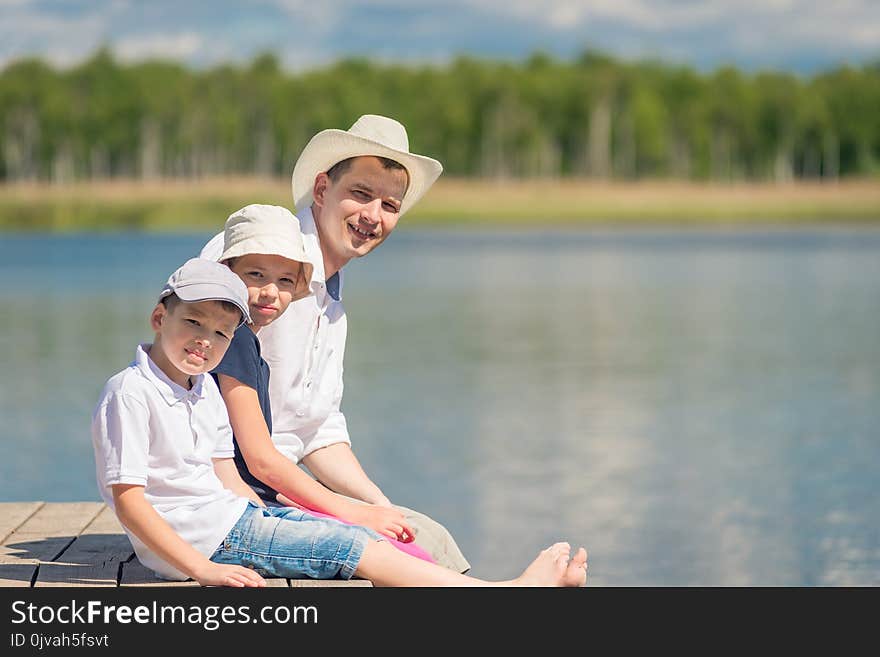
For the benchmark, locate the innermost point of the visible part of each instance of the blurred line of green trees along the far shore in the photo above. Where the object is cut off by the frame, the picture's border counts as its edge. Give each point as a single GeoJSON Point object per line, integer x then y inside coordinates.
{"type": "Point", "coordinates": [593, 116]}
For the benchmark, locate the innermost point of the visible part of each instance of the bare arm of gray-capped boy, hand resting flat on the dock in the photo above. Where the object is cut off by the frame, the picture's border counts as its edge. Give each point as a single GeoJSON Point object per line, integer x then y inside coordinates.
{"type": "Point", "coordinates": [142, 519]}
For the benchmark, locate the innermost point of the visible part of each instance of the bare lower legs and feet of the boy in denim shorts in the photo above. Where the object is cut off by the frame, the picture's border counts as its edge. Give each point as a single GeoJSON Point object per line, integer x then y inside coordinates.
{"type": "Point", "coordinates": [386, 566]}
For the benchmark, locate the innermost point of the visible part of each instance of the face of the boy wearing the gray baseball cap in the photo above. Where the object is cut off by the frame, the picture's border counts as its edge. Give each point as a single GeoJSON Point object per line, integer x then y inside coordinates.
{"type": "Point", "coordinates": [191, 338]}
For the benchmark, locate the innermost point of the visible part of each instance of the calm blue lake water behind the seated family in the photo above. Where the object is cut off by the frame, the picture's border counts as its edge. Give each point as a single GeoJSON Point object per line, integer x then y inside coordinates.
{"type": "Point", "coordinates": [695, 407]}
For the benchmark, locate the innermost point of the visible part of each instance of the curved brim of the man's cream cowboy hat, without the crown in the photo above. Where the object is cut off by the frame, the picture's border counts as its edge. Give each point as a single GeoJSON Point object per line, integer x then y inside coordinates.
{"type": "Point", "coordinates": [331, 146]}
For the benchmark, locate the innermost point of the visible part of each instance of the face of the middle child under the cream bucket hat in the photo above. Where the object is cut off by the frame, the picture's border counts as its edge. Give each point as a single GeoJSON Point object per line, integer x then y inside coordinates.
{"type": "Point", "coordinates": [272, 282]}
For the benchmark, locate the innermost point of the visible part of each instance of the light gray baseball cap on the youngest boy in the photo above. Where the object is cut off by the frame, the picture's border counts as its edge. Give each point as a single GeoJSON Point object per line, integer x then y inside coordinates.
{"type": "Point", "coordinates": [200, 279]}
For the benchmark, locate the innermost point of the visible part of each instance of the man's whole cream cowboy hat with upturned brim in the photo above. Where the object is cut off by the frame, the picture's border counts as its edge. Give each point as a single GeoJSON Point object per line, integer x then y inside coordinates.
{"type": "Point", "coordinates": [369, 135]}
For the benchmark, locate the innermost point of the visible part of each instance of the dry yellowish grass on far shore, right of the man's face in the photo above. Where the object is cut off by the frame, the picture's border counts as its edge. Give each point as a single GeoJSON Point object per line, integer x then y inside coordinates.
{"type": "Point", "coordinates": [655, 202]}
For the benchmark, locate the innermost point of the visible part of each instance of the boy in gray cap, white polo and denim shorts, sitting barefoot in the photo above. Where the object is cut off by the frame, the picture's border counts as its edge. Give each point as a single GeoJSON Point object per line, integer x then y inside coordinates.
{"type": "Point", "coordinates": [164, 464]}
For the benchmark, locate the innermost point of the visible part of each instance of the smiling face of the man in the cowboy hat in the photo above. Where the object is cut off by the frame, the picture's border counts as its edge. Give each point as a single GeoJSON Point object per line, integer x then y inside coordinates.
{"type": "Point", "coordinates": [357, 213]}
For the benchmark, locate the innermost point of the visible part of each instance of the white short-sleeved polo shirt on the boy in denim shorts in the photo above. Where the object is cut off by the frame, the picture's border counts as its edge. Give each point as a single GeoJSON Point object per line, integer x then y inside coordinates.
{"type": "Point", "coordinates": [151, 432]}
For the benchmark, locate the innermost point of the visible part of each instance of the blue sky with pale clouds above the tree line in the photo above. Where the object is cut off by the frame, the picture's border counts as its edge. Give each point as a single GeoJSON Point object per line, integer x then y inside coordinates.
{"type": "Point", "coordinates": [803, 36]}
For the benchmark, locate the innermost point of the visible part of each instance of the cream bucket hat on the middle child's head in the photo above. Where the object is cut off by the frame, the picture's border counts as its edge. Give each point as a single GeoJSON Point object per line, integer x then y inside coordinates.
{"type": "Point", "coordinates": [267, 230]}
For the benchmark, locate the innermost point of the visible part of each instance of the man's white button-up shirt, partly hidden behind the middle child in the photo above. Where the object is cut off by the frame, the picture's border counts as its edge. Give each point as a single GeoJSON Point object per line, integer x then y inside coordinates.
{"type": "Point", "coordinates": [304, 349]}
